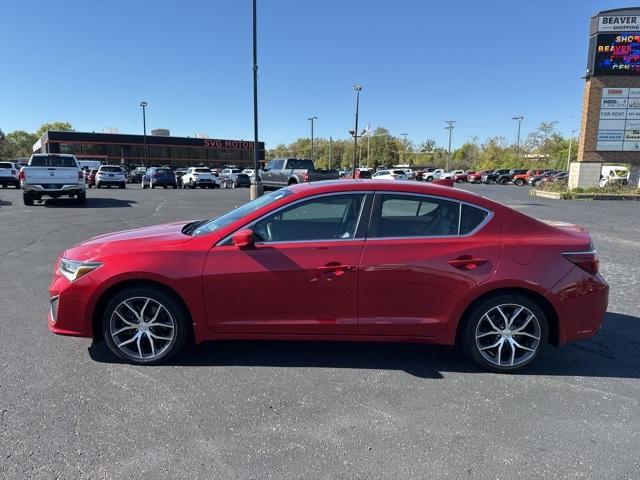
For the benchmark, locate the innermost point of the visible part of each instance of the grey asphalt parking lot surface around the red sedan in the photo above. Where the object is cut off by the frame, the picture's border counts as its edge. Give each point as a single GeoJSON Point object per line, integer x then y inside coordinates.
{"type": "Point", "coordinates": [305, 410]}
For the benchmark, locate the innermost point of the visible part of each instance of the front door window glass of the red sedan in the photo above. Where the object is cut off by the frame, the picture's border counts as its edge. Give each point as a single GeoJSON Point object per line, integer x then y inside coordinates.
{"type": "Point", "coordinates": [330, 217]}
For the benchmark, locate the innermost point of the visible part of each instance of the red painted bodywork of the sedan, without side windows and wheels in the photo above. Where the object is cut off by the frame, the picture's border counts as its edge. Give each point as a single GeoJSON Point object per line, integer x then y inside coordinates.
{"type": "Point", "coordinates": [389, 289]}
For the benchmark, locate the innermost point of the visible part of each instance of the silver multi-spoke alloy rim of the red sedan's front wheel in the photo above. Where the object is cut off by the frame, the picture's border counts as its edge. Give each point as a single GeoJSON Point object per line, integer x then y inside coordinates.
{"type": "Point", "coordinates": [142, 328]}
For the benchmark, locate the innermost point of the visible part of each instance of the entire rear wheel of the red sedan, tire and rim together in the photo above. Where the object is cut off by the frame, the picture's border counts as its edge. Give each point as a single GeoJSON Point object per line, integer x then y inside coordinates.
{"type": "Point", "coordinates": [505, 350]}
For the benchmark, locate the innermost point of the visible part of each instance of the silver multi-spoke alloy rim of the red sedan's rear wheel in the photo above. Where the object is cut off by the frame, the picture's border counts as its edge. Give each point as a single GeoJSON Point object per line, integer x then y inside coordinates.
{"type": "Point", "coordinates": [508, 335]}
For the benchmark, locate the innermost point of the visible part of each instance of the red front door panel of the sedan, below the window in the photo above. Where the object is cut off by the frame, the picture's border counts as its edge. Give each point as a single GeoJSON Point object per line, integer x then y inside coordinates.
{"type": "Point", "coordinates": [284, 288]}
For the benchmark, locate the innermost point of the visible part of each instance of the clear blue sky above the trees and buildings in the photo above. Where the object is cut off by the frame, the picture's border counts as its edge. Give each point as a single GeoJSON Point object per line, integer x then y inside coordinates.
{"type": "Point", "coordinates": [420, 63]}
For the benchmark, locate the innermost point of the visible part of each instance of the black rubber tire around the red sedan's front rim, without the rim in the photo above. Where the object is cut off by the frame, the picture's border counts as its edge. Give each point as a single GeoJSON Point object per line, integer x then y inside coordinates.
{"type": "Point", "coordinates": [183, 327]}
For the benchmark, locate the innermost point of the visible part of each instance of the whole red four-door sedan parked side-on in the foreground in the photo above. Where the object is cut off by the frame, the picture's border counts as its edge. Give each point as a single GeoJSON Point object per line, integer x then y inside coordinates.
{"type": "Point", "coordinates": [344, 260]}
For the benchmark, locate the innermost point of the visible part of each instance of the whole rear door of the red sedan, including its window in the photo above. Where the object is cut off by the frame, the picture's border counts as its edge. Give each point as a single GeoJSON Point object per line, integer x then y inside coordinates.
{"type": "Point", "coordinates": [409, 286]}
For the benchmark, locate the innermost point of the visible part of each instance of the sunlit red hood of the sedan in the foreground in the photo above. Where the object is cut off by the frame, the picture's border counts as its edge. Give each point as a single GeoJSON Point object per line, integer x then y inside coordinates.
{"type": "Point", "coordinates": [137, 239]}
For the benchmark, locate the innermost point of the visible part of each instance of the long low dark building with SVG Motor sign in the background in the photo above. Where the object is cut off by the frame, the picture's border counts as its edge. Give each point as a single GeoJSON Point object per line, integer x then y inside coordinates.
{"type": "Point", "coordinates": [162, 149]}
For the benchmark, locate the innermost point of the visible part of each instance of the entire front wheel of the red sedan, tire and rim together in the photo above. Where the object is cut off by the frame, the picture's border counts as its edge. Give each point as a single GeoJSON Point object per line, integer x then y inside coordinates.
{"type": "Point", "coordinates": [136, 342]}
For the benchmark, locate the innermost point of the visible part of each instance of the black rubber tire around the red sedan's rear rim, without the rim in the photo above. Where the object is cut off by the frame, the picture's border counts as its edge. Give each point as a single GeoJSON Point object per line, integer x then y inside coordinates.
{"type": "Point", "coordinates": [474, 316]}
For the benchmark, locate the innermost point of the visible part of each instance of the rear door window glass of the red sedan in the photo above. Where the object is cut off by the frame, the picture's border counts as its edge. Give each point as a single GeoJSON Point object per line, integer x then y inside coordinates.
{"type": "Point", "coordinates": [416, 216]}
